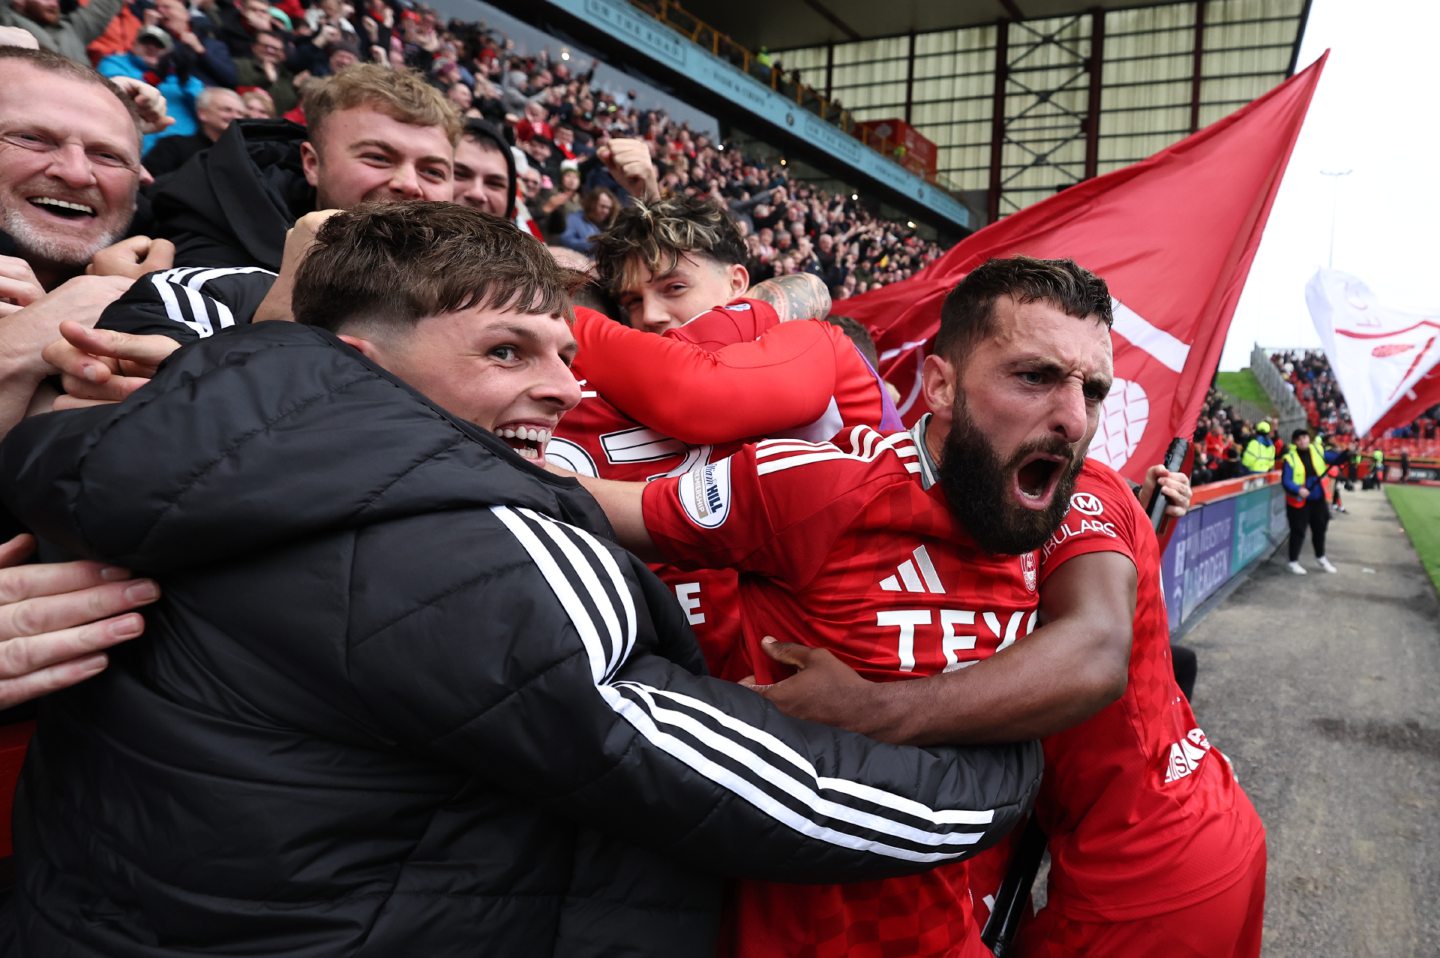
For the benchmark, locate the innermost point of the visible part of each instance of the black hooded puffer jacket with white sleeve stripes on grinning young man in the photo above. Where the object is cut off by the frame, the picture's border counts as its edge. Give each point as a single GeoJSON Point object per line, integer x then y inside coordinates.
{"type": "Point", "coordinates": [398, 702]}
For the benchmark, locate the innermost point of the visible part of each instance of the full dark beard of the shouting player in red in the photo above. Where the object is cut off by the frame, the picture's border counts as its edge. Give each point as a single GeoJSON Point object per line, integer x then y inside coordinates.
{"type": "Point", "coordinates": [978, 485]}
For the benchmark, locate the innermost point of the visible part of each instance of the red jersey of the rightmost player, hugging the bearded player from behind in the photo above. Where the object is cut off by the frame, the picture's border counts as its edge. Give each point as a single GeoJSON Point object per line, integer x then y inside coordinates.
{"type": "Point", "coordinates": [1144, 816]}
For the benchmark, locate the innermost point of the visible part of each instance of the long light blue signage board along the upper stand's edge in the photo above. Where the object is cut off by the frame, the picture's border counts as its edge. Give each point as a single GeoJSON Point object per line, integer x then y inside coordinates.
{"type": "Point", "coordinates": [665, 47]}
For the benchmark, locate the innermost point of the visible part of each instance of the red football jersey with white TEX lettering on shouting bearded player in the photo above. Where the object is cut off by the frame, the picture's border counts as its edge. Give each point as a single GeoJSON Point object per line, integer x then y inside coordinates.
{"type": "Point", "coordinates": [849, 548]}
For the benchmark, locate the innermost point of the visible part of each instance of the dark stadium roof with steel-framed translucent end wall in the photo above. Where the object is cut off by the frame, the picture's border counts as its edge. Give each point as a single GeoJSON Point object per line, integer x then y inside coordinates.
{"type": "Point", "coordinates": [1020, 99]}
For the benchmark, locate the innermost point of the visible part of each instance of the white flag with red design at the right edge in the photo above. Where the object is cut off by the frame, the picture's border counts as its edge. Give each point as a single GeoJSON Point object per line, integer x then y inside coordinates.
{"type": "Point", "coordinates": [1377, 354]}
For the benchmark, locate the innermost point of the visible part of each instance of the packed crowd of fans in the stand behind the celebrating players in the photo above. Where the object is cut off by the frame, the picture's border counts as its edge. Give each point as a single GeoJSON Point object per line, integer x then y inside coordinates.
{"type": "Point", "coordinates": [554, 115]}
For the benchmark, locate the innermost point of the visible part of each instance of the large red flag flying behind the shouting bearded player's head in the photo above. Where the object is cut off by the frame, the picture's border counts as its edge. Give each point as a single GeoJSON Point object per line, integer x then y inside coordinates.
{"type": "Point", "coordinates": [1173, 236]}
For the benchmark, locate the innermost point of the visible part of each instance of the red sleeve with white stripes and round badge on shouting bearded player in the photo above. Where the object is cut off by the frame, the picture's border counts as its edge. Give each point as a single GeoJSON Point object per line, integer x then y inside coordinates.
{"type": "Point", "coordinates": [758, 511]}
